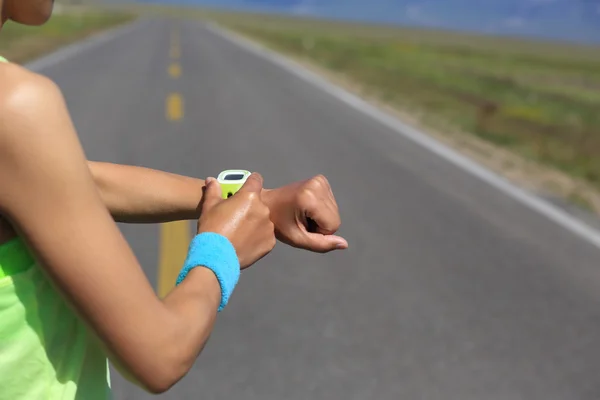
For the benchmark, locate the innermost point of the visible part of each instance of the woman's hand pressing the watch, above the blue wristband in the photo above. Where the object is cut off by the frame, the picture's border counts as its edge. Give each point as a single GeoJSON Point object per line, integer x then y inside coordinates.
{"type": "Point", "coordinates": [243, 218]}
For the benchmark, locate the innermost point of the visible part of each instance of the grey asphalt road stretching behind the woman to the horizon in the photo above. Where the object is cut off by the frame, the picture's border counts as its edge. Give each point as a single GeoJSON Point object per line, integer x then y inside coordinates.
{"type": "Point", "coordinates": [450, 289]}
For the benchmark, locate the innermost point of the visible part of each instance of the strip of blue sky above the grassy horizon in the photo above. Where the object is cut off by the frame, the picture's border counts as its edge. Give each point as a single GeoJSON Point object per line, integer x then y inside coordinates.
{"type": "Point", "coordinates": [577, 20]}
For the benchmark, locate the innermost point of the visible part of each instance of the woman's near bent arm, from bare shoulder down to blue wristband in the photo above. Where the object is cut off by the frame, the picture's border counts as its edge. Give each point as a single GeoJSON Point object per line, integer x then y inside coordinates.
{"type": "Point", "coordinates": [50, 197]}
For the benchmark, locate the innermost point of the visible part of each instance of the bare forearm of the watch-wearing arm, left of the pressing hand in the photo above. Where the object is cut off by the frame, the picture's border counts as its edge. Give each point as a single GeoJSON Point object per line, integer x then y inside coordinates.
{"type": "Point", "coordinates": [143, 195]}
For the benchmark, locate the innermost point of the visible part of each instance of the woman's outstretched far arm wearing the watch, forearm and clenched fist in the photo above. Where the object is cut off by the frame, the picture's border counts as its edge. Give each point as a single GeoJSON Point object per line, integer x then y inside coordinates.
{"type": "Point", "coordinates": [143, 195]}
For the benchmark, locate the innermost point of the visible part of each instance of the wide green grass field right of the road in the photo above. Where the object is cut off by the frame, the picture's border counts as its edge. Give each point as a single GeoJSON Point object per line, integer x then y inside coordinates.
{"type": "Point", "coordinates": [539, 99]}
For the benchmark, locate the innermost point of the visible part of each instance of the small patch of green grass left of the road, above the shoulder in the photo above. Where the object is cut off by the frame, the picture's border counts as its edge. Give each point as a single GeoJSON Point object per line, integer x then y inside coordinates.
{"type": "Point", "coordinates": [21, 43]}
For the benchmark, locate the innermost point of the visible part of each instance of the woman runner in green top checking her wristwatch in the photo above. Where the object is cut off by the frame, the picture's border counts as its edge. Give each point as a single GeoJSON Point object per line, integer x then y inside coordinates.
{"type": "Point", "coordinates": [72, 293]}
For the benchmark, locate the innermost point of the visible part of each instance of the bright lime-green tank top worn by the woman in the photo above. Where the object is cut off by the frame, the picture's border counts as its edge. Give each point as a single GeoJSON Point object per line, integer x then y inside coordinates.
{"type": "Point", "coordinates": [46, 350]}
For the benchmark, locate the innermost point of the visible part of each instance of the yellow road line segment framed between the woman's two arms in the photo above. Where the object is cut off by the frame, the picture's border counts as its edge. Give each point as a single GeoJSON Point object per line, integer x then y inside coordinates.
{"type": "Point", "coordinates": [174, 241]}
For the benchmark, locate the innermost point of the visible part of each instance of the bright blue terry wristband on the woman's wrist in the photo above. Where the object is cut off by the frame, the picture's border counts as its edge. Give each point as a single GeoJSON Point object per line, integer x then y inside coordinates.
{"type": "Point", "coordinates": [216, 253]}
